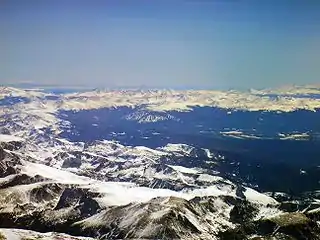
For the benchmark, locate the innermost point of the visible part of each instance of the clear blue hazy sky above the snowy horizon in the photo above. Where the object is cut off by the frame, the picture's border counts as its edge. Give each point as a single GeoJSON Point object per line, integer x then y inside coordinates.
{"type": "Point", "coordinates": [160, 43]}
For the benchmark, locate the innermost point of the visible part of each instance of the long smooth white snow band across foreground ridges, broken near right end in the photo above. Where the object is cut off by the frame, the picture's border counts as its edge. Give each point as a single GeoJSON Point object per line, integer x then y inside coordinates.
{"type": "Point", "coordinates": [122, 193]}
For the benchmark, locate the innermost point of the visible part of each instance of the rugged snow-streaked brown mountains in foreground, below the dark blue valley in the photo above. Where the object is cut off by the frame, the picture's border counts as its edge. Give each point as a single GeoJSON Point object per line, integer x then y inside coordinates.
{"type": "Point", "coordinates": [114, 202]}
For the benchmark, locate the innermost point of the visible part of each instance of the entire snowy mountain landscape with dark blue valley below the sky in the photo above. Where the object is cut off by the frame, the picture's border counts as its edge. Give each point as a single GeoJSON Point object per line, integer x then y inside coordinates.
{"type": "Point", "coordinates": [160, 164]}
